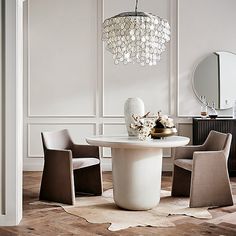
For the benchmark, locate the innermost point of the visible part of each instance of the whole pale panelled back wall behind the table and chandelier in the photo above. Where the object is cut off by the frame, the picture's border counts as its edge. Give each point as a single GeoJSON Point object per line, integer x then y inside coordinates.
{"type": "Point", "coordinates": [71, 81]}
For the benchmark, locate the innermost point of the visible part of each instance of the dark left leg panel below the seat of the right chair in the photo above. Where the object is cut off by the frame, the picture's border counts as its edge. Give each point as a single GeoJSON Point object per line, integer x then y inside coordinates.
{"type": "Point", "coordinates": [181, 182]}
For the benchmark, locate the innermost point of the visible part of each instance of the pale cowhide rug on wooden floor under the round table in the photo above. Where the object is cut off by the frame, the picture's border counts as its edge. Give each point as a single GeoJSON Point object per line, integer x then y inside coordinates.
{"type": "Point", "coordinates": [102, 209]}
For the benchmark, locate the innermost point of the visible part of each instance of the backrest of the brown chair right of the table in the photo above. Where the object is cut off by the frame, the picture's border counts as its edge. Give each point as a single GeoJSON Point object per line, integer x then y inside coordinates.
{"type": "Point", "coordinates": [217, 141]}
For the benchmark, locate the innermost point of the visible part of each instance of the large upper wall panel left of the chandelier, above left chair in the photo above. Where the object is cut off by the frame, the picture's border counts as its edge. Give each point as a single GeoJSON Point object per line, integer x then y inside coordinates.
{"type": "Point", "coordinates": [62, 40]}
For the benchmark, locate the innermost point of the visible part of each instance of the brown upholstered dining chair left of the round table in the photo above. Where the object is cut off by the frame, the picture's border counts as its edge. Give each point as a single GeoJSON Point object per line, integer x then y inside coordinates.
{"type": "Point", "coordinates": [68, 168]}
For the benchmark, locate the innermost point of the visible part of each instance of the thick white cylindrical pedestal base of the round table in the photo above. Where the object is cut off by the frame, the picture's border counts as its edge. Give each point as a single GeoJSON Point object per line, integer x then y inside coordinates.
{"type": "Point", "coordinates": [136, 177]}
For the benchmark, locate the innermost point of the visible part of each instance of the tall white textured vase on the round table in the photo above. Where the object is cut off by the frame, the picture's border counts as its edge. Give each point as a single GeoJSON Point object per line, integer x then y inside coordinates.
{"type": "Point", "coordinates": [133, 106]}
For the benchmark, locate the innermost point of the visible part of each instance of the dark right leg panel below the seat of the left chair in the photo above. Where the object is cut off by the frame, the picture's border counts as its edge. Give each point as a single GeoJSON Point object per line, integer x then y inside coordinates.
{"type": "Point", "coordinates": [89, 180]}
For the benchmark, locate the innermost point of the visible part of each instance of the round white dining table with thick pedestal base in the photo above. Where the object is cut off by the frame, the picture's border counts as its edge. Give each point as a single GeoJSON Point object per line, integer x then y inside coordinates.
{"type": "Point", "coordinates": [136, 168]}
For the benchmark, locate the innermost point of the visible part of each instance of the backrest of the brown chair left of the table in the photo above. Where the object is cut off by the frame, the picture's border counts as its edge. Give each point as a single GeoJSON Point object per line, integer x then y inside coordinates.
{"type": "Point", "coordinates": [56, 140]}
